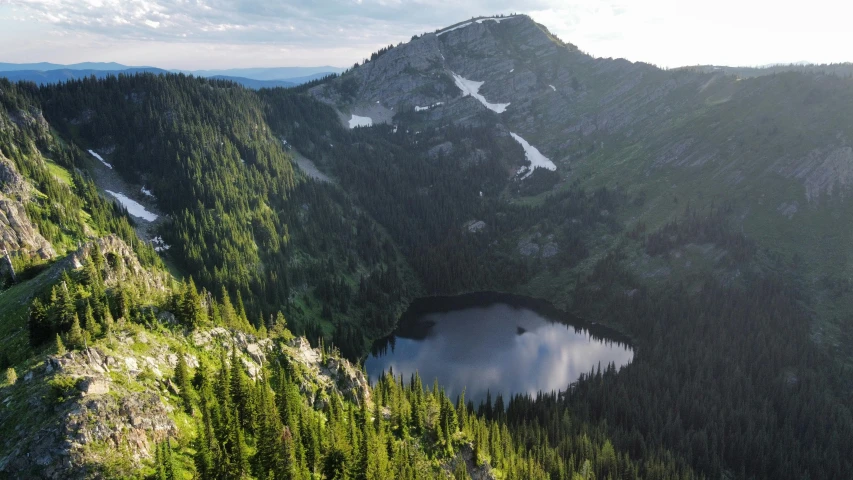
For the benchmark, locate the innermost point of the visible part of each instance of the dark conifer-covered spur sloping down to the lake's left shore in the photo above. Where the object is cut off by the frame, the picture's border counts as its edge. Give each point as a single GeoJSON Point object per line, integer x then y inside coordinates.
{"type": "Point", "coordinates": [239, 218]}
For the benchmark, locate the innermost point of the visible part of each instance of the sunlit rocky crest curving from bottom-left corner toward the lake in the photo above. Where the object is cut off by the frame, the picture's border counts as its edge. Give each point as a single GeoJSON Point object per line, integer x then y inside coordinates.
{"type": "Point", "coordinates": [74, 412]}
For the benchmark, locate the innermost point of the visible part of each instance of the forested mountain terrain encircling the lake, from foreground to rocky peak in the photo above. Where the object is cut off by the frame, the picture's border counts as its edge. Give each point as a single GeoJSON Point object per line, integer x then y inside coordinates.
{"type": "Point", "coordinates": [698, 213]}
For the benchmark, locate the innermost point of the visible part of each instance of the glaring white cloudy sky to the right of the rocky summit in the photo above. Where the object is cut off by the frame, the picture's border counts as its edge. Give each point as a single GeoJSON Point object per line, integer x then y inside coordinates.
{"type": "Point", "coordinates": [729, 32]}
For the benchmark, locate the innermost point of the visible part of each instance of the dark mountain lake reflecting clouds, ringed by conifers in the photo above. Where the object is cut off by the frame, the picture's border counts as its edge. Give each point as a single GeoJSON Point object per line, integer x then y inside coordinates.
{"type": "Point", "coordinates": [501, 343]}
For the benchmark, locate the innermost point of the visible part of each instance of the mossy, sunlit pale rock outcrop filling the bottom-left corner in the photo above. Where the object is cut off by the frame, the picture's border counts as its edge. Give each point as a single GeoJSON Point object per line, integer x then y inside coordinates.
{"type": "Point", "coordinates": [104, 411]}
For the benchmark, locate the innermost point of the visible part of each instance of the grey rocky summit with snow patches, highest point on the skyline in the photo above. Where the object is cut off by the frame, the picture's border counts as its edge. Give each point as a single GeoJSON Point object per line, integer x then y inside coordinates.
{"type": "Point", "coordinates": [505, 57]}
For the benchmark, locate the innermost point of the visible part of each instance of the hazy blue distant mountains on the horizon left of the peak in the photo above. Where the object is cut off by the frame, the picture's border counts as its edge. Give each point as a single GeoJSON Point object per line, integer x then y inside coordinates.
{"type": "Point", "coordinates": [255, 78]}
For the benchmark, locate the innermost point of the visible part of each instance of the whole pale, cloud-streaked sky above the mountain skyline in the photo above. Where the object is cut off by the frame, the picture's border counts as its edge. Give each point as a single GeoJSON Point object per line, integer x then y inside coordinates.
{"type": "Point", "coordinates": [195, 34]}
